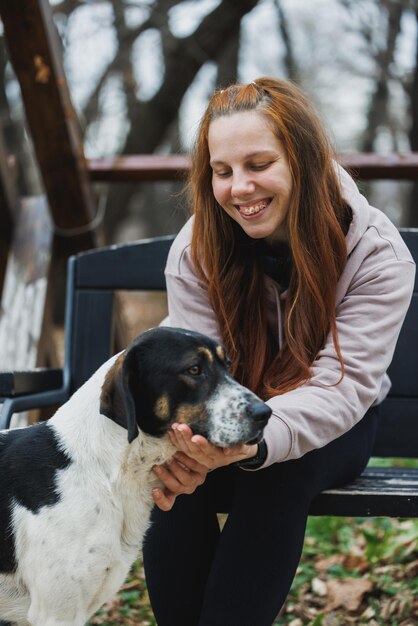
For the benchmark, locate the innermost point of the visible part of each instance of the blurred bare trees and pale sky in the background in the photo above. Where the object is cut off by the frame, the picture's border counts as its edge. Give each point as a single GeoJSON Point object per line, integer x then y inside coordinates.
{"type": "Point", "coordinates": [140, 72]}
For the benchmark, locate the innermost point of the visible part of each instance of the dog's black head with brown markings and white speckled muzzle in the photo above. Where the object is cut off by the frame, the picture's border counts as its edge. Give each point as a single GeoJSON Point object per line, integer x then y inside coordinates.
{"type": "Point", "coordinates": [170, 375]}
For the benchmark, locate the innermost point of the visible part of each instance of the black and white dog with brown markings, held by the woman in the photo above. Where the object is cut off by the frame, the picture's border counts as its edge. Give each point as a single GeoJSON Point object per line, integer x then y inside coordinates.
{"type": "Point", "coordinates": [75, 491]}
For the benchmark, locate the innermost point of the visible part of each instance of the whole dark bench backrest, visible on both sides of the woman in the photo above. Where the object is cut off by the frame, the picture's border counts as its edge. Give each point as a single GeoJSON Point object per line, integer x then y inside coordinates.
{"type": "Point", "coordinates": [95, 275]}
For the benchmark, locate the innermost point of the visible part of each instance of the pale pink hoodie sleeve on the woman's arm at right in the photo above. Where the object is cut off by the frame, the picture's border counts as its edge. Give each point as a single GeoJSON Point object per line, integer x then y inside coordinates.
{"type": "Point", "coordinates": [369, 319]}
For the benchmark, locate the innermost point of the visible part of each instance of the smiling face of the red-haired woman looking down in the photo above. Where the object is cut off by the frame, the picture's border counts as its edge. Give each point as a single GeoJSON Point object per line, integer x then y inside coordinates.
{"type": "Point", "coordinates": [251, 178]}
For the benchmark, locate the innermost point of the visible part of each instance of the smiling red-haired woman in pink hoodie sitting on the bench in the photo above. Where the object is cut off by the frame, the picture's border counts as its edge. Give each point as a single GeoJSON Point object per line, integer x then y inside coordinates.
{"type": "Point", "coordinates": [307, 286]}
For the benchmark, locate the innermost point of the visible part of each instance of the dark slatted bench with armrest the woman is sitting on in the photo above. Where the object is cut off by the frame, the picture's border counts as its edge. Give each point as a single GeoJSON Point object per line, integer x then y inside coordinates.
{"type": "Point", "coordinates": [93, 278]}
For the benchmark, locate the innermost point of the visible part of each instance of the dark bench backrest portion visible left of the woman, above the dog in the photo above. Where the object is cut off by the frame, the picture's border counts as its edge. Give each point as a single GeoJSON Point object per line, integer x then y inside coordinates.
{"type": "Point", "coordinates": [93, 278]}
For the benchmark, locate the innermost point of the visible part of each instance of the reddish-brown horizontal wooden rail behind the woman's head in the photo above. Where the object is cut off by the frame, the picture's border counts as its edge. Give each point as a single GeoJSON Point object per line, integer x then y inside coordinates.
{"type": "Point", "coordinates": [152, 167]}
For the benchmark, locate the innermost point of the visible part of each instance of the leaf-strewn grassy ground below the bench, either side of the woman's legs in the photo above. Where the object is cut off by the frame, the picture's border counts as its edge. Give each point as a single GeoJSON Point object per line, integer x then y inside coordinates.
{"type": "Point", "coordinates": [353, 571]}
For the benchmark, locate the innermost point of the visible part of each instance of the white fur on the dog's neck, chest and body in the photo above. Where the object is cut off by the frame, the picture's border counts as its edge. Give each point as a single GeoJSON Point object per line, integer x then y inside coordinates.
{"type": "Point", "coordinates": [100, 519]}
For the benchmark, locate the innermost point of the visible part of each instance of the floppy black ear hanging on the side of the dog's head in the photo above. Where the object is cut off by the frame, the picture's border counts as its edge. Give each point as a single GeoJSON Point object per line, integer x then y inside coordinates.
{"type": "Point", "coordinates": [116, 401]}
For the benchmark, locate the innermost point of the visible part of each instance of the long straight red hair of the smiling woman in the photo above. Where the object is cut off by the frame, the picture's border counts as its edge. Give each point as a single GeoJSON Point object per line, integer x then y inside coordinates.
{"type": "Point", "coordinates": [231, 265]}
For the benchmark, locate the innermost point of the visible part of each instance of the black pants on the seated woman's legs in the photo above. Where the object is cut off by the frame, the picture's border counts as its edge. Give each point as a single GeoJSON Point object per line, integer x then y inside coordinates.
{"type": "Point", "coordinates": [199, 576]}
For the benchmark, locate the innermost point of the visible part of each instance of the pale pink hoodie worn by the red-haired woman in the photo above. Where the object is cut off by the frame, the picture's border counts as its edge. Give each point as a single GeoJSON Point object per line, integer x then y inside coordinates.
{"type": "Point", "coordinates": [372, 299]}
